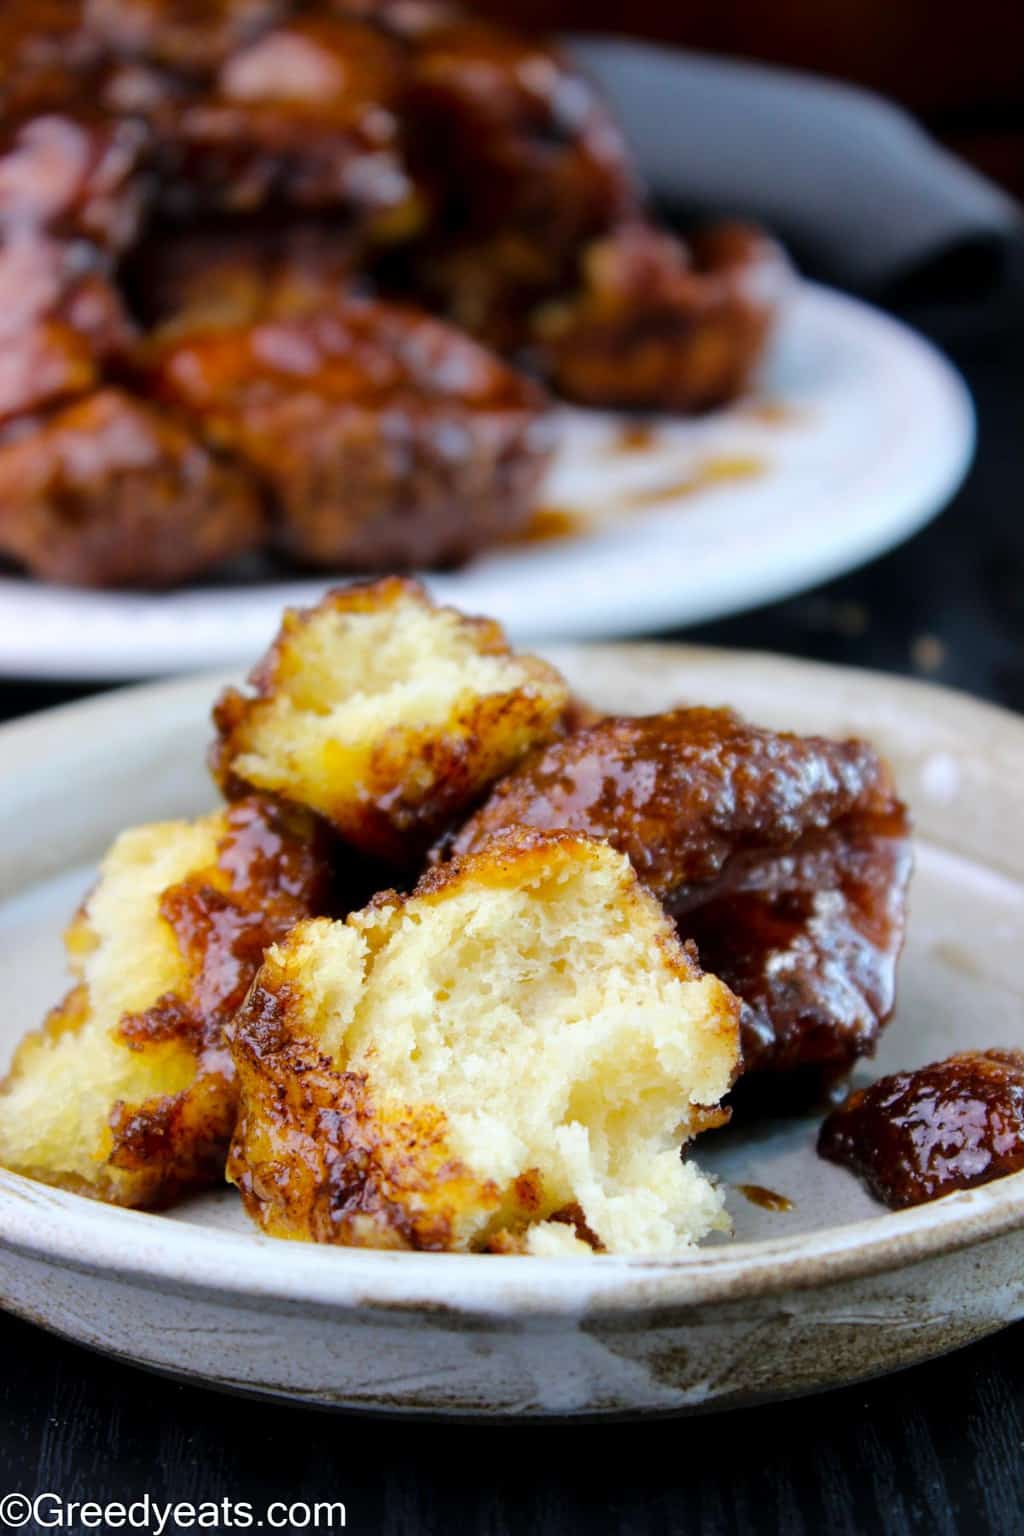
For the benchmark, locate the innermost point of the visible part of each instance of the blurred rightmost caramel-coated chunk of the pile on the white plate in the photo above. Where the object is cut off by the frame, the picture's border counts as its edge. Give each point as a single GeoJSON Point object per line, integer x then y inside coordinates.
{"type": "Point", "coordinates": [658, 326]}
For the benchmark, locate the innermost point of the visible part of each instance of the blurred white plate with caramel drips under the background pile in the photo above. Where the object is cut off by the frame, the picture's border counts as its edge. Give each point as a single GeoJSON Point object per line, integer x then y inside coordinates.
{"type": "Point", "coordinates": [862, 434]}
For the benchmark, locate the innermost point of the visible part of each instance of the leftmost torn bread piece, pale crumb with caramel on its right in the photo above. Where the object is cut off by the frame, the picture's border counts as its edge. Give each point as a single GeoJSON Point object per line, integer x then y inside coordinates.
{"type": "Point", "coordinates": [128, 1091]}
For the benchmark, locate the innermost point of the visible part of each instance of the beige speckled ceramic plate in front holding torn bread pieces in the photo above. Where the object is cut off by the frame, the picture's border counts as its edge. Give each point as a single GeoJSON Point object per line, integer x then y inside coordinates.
{"type": "Point", "coordinates": [813, 1297]}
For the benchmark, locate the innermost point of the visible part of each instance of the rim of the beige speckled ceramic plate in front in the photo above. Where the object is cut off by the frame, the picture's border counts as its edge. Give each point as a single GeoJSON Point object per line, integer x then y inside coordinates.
{"type": "Point", "coordinates": [153, 1250]}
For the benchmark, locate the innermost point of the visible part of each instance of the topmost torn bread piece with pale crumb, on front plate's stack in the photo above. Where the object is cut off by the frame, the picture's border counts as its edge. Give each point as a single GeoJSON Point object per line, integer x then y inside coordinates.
{"type": "Point", "coordinates": [386, 715]}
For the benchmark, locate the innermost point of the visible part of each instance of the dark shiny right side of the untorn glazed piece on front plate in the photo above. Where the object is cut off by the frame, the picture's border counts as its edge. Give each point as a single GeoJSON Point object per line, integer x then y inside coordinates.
{"type": "Point", "coordinates": [810, 941]}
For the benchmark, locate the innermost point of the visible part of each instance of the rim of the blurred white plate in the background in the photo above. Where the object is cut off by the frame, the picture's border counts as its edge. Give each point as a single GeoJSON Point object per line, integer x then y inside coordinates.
{"type": "Point", "coordinates": [936, 480]}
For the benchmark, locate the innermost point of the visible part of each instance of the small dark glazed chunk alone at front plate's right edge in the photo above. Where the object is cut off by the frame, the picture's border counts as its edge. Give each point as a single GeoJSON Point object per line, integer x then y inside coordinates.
{"type": "Point", "coordinates": [917, 1136]}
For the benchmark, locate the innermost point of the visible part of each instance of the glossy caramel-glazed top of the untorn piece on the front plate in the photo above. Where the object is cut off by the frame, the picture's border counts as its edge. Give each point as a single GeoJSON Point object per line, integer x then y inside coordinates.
{"type": "Point", "coordinates": [684, 792]}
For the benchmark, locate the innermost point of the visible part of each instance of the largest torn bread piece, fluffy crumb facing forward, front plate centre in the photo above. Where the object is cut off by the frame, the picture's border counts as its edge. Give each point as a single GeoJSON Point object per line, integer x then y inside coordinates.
{"type": "Point", "coordinates": [509, 1059]}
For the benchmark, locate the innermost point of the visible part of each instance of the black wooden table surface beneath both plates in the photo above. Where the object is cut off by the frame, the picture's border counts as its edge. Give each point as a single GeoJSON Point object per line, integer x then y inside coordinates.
{"type": "Point", "coordinates": [937, 1449]}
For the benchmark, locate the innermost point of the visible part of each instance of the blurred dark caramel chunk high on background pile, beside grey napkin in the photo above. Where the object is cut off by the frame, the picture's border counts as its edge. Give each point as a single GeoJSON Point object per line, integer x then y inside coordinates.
{"type": "Point", "coordinates": [524, 167]}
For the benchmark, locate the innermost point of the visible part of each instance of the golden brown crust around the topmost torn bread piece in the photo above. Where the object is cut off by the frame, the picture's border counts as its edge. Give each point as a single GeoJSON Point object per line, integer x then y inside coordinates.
{"type": "Point", "coordinates": [414, 778]}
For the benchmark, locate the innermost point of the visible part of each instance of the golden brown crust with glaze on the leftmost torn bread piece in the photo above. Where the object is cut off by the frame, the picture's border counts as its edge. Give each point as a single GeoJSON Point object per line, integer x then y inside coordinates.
{"type": "Point", "coordinates": [271, 872]}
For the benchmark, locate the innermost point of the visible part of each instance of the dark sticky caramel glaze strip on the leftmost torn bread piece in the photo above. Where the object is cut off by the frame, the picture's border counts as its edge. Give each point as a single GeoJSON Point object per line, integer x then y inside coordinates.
{"type": "Point", "coordinates": [273, 870]}
